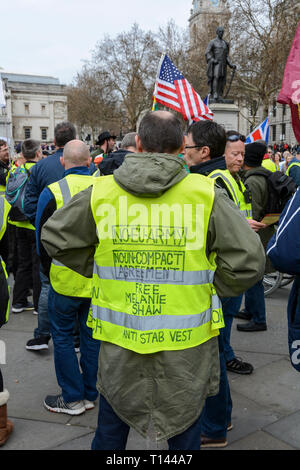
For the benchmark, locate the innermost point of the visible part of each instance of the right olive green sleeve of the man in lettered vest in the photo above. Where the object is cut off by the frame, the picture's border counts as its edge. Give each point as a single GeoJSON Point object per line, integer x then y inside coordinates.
{"type": "Point", "coordinates": [240, 256]}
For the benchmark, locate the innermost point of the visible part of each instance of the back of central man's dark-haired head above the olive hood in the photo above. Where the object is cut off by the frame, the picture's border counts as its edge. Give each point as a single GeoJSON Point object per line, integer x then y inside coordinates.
{"type": "Point", "coordinates": [160, 132]}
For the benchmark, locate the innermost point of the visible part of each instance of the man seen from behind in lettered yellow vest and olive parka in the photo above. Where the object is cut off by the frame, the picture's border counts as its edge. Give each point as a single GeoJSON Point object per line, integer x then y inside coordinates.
{"type": "Point", "coordinates": [159, 244]}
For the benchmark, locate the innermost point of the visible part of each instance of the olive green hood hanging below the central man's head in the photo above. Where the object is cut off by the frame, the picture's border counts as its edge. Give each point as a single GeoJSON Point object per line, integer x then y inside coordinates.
{"type": "Point", "coordinates": [149, 174]}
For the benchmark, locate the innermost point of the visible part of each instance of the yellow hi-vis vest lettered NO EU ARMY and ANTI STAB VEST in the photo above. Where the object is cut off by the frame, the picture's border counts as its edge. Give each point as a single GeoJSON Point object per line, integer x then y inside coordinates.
{"type": "Point", "coordinates": [153, 282]}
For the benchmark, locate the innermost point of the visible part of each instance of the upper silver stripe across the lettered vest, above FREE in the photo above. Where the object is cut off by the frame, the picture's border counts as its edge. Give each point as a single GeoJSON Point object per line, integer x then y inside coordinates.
{"type": "Point", "coordinates": [154, 276]}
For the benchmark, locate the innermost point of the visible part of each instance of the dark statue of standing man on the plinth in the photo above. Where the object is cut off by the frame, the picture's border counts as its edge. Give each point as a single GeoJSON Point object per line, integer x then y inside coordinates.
{"type": "Point", "coordinates": [216, 54]}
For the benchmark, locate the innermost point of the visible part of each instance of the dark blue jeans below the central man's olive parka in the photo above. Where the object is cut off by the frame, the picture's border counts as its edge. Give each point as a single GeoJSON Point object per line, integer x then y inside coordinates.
{"type": "Point", "coordinates": [112, 432]}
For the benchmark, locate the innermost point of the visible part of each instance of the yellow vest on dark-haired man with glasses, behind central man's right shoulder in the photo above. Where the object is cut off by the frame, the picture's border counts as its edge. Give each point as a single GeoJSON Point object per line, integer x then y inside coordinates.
{"type": "Point", "coordinates": [236, 192]}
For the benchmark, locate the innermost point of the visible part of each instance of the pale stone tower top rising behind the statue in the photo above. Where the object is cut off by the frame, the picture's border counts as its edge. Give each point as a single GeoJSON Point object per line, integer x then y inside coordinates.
{"type": "Point", "coordinates": [207, 15]}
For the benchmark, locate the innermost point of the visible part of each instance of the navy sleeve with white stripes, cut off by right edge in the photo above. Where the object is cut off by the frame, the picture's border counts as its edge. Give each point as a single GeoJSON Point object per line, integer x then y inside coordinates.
{"type": "Point", "coordinates": [284, 247]}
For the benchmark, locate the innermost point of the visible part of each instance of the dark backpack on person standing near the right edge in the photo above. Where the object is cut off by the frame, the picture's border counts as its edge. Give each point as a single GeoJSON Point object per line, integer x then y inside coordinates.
{"type": "Point", "coordinates": [281, 188]}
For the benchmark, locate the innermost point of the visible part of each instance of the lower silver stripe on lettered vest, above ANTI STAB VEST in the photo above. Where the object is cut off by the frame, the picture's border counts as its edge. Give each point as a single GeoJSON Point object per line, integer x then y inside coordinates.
{"type": "Point", "coordinates": [158, 322]}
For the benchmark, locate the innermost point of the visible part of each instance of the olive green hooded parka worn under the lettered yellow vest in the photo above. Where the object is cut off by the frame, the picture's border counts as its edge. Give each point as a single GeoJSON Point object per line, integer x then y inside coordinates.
{"type": "Point", "coordinates": [168, 387]}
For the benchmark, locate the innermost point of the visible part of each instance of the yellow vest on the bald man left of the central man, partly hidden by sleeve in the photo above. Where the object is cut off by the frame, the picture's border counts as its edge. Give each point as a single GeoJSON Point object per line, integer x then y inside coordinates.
{"type": "Point", "coordinates": [65, 281]}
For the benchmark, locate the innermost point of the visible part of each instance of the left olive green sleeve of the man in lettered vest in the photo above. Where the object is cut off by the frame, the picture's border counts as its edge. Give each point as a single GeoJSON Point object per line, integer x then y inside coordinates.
{"type": "Point", "coordinates": [70, 235]}
